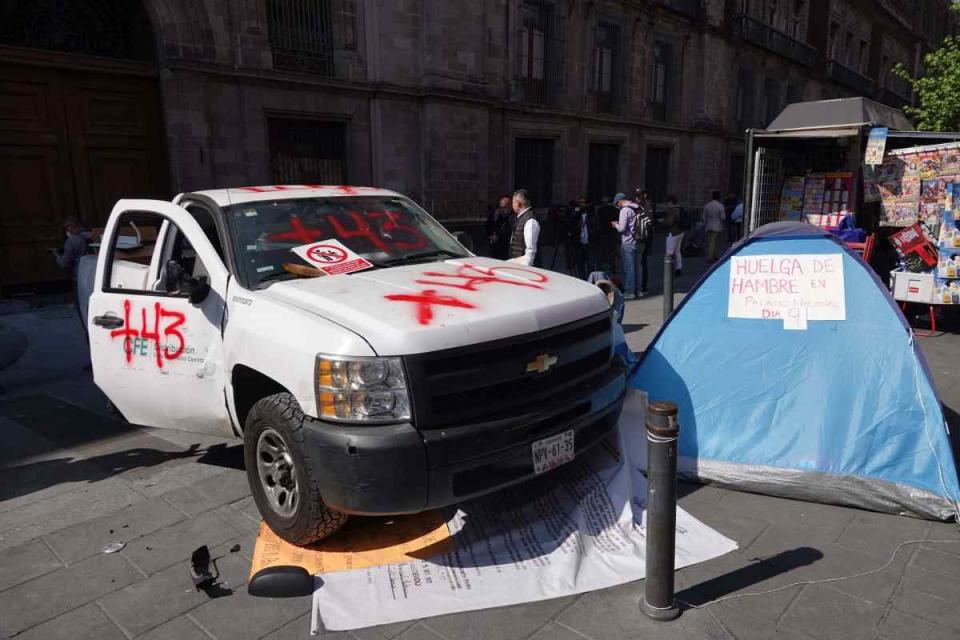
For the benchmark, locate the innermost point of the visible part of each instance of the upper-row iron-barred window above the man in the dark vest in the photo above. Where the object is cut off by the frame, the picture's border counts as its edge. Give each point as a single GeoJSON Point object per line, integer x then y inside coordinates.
{"type": "Point", "coordinates": [539, 71]}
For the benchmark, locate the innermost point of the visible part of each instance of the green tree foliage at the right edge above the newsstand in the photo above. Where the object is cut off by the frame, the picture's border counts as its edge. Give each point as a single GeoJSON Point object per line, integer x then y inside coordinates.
{"type": "Point", "coordinates": [937, 92]}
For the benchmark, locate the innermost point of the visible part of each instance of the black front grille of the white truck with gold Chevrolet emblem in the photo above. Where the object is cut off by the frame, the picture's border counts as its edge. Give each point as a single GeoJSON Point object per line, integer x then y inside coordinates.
{"type": "Point", "coordinates": [490, 381]}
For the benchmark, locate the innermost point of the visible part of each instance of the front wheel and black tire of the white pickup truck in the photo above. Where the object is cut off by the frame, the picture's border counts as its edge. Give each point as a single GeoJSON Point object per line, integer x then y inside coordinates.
{"type": "Point", "coordinates": [282, 474]}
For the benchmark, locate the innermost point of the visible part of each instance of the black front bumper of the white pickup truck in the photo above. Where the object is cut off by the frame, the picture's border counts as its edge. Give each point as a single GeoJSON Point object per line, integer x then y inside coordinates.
{"type": "Point", "coordinates": [396, 469]}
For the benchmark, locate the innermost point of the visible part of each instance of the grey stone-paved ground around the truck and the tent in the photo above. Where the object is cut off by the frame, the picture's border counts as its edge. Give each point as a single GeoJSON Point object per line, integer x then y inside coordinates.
{"type": "Point", "coordinates": [73, 478]}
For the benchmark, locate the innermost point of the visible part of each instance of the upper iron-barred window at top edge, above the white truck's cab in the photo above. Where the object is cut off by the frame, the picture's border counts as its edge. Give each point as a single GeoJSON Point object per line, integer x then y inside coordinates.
{"type": "Point", "coordinates": [301, 35]}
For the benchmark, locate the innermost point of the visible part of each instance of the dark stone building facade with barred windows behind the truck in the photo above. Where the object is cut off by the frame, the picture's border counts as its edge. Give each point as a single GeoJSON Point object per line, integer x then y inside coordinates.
{"type": "Point", "coordinates": [451, 102]}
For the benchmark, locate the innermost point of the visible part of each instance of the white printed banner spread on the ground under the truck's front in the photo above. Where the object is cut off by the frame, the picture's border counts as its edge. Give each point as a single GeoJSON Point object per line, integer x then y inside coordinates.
{"type": "Point", "coordinates": [577, 529]}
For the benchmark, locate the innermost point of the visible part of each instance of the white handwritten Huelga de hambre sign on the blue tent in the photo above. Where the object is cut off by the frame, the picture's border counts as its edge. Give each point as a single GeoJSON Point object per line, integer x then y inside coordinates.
{"type": "Point", "coordinates": [790, 288]}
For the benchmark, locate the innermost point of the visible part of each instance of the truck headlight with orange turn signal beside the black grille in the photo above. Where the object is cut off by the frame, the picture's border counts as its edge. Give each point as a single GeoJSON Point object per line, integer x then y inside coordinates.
{"type": "Point", "coordinates": [361, 389]}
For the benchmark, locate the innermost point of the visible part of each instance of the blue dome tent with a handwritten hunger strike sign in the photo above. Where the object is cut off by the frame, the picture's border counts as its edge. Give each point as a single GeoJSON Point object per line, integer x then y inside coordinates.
{"type": "Point", "coordinates": [831, 410]}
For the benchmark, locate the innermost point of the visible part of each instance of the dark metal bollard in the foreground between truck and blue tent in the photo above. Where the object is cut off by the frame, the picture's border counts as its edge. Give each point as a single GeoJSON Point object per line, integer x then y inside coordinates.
{"type": "Point", "coordinates": [662, 432]}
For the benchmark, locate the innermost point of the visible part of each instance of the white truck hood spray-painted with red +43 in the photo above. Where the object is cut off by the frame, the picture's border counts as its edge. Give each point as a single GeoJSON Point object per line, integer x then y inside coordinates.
{"type": "Point", "coordinates": [440, 305]}
